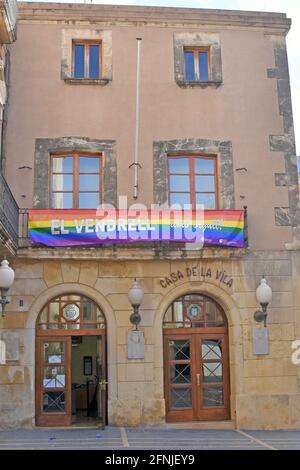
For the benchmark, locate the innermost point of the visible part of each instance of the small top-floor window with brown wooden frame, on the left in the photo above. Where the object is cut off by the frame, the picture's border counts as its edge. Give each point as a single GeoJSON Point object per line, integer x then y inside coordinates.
{"type": "Point", "coordinates": [86, 60]}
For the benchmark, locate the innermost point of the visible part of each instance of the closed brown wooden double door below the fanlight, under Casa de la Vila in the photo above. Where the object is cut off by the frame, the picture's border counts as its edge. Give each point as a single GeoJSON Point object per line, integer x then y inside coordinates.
{"type": "Point", "coordinates": [196, 374]}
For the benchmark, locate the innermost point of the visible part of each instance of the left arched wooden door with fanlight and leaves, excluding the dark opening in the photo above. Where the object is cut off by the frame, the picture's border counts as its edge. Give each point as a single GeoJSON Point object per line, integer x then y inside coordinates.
{"type": "Point", "coordinates": [64, 321]}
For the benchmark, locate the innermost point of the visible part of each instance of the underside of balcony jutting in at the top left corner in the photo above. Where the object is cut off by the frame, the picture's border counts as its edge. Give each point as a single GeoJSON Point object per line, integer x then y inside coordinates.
{"type": "Point", "coordinates": [8, 21]}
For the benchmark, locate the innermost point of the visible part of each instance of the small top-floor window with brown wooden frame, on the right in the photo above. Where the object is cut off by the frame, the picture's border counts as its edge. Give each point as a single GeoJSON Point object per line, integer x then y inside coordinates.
{"type": "Point", "coordinates": [196, 64]}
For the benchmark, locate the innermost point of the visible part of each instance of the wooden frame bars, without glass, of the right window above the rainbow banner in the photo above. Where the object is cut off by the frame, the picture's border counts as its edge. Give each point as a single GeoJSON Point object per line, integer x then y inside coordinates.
{"type": "Point", "coordinates": [192, 175]}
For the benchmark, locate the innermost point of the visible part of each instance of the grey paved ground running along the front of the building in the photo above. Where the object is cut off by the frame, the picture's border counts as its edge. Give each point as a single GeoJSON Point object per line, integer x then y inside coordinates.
{"type": "Point", "coordinates": [156, 438]}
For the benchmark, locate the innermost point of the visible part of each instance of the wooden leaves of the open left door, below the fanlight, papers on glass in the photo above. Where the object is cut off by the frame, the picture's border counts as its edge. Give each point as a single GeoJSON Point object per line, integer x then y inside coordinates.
{"type": "Point", "coordinates": [54, 379]}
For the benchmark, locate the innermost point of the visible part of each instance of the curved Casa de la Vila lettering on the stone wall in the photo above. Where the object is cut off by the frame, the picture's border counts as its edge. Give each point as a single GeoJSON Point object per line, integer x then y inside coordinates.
{"type": "Point", "coordinates": [196, 271]}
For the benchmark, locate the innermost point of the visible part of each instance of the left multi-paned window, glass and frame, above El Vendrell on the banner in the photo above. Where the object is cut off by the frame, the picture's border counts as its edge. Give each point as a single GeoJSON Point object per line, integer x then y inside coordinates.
{"type": "Point", "coordinates": [76, 181]}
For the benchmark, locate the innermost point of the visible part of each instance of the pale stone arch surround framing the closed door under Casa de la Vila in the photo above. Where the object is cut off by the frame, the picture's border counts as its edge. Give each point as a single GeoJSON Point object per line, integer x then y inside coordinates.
{"type": "Point", "coordinates": [235, 334]}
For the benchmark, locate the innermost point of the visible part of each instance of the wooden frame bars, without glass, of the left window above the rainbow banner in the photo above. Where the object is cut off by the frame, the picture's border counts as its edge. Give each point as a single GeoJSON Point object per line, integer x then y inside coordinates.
{"type": "Point", "coordinates": [75, 192]}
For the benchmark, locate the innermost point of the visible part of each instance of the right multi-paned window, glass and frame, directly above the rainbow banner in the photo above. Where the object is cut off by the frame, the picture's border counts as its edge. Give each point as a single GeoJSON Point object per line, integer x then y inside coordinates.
{"type": "Point", "coordinates": [193, 180]}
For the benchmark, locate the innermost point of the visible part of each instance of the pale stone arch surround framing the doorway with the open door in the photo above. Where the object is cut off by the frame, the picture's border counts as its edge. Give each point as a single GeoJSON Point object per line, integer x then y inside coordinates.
{"type": "Point", "coordinates": [108, 312]}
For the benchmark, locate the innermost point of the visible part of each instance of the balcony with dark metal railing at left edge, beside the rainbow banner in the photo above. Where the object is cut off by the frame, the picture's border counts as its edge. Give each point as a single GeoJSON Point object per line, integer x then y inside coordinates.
{"type": "Point", "coordinates": [9, 219]}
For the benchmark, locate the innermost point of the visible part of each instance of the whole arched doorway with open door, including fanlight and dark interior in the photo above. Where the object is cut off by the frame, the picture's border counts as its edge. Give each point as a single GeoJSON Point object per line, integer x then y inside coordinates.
{"type": "Point", "coordinates": [71, 385]}
